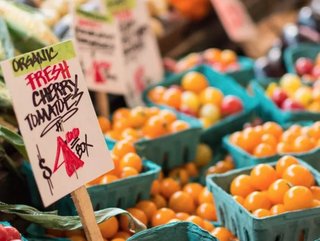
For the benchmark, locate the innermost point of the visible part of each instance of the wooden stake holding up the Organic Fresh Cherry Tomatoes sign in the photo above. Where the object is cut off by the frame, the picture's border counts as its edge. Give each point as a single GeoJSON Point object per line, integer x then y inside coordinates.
{"type": "Point", "coordinates": [84, 207]}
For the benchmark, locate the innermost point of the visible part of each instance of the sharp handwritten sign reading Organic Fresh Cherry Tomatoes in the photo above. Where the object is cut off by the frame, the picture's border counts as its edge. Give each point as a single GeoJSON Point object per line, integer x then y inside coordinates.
{"type": "Point", "coordinates": [57, 120]}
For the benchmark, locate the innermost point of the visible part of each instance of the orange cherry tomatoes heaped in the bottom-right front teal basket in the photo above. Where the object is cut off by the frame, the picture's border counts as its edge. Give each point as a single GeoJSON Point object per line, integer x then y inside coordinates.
{"type": "Point", "coordinates": [272, 190]}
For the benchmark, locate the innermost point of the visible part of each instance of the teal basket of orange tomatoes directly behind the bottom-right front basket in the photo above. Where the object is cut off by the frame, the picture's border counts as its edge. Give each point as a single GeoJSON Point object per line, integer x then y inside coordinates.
{"type": "Point", "coordinates": [267, 142]}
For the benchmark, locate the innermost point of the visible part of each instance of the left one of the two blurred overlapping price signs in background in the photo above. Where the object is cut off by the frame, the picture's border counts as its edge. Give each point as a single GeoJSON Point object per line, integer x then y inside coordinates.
{"type": "Point", "coordinates": [98, 44]}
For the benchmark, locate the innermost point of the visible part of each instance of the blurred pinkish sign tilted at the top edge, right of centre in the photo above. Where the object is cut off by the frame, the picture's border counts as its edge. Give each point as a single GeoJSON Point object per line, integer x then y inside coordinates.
{"type": "Point", "coordinates": [235, 19]}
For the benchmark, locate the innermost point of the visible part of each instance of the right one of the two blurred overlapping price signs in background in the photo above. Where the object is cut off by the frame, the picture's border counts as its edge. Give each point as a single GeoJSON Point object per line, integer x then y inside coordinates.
{"type": "Point", "coordinates": [141, 55]}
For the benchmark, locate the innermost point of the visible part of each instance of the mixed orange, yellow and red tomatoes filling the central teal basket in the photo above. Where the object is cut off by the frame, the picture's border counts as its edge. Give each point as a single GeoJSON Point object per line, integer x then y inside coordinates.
{"type": "Point", "coordinates": [196, 98]}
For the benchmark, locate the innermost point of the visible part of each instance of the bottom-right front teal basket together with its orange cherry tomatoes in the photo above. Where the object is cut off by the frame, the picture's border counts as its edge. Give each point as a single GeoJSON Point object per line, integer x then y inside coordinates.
{"type": "Point", "coordinates": [234, 210]}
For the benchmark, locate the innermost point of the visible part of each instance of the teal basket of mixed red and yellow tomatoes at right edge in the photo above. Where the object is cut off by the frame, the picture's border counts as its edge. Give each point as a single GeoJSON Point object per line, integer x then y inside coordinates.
{"type": "Point", "coordinates": [287, 99]}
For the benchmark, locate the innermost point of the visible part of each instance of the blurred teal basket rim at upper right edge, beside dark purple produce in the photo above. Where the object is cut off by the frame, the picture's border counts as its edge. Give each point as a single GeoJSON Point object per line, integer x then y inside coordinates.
{"type": "Point", "coordinates": [292, 53]}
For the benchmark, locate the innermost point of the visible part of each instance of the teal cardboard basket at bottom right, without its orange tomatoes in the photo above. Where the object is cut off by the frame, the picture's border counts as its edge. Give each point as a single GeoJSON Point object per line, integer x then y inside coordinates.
{"type": "Point", "coordinates": [284, 227]}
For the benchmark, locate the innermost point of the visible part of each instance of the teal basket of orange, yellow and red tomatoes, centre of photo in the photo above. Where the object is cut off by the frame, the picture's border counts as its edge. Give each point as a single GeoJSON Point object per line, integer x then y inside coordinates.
{"type": "Point", "coordinates": [219, 115]}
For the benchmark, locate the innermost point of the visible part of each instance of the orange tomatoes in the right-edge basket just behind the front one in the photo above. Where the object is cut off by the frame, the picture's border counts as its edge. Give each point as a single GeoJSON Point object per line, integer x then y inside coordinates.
{"type": "Point", "coordinates": [270, 138]}
